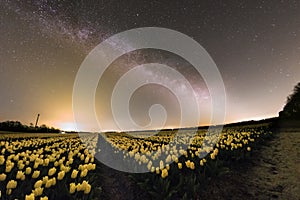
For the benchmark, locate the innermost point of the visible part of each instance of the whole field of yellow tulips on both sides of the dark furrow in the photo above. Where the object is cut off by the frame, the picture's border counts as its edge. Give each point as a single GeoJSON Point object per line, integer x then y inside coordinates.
{"type": "Point", "coordinates": [65, 166]}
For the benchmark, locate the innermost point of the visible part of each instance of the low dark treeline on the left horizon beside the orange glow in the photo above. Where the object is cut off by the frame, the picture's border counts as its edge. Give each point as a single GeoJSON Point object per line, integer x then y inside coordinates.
{"type": "Point", "coordinates": [16, 126]}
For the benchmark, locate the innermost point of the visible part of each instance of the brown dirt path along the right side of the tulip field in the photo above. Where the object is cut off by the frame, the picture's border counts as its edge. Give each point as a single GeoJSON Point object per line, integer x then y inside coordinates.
{"type": "Point", "coordinates": [272, 173]}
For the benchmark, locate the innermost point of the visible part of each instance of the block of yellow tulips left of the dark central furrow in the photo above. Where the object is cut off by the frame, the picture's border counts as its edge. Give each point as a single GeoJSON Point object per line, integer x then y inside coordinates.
{"type": "Point", "coordinates": [44, 166]}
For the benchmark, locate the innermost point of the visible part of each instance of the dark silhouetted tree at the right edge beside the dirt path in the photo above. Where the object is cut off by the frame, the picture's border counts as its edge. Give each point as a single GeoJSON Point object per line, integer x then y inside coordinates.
{"type": "Point", "coordinates": [292, 108]}
